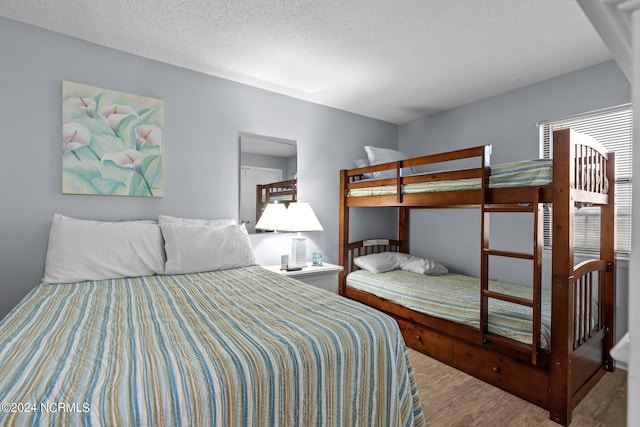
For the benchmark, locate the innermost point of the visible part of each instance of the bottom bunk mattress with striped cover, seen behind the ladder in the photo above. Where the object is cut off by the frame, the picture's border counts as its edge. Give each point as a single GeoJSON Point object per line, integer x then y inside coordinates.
{"type": "Point", "coordinates": [457, 298]}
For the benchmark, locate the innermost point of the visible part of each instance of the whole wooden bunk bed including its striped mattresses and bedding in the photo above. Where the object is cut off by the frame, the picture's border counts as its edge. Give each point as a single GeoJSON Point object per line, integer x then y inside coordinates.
{"type": "Point", "coordinates": [563, 348]}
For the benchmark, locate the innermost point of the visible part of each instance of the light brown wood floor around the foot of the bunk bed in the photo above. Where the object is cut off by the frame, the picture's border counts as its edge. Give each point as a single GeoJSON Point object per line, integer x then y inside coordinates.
{"type": "Point", "coordinates": [452, 398]}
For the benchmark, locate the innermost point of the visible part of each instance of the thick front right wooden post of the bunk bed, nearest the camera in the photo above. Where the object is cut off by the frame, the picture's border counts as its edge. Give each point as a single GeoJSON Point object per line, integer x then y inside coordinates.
{"type": "Point", "coordinates": [562, 270]}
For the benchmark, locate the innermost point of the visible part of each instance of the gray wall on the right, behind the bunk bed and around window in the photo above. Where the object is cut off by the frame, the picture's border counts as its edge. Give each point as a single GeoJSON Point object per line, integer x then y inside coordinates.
{"type": "Point", "coordinates": [508, 122]}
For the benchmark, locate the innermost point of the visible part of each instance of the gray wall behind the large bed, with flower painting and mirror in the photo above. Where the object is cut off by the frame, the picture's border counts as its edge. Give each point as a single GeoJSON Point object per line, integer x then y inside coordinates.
{"type": "Point", "coordinates": [204, 118]}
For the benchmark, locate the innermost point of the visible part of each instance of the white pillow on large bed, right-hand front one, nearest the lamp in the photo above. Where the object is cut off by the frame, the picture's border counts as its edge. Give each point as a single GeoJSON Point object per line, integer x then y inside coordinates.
{"type": "Point", "coordinates": [192, 248]}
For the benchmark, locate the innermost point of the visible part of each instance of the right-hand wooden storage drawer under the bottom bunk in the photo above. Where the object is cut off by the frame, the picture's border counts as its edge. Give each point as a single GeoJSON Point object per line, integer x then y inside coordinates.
{"type": "Point", "coordinates": [527, 381]}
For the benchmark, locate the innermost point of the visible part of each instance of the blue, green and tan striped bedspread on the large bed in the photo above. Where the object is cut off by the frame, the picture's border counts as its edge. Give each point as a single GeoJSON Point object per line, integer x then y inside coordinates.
{"type": "Point", "coordinates": [229, 348]}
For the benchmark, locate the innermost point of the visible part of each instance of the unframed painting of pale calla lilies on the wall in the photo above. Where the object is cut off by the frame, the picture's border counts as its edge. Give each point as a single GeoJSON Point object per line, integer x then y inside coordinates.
{"type": "Point", "coordinates": [112, 142]}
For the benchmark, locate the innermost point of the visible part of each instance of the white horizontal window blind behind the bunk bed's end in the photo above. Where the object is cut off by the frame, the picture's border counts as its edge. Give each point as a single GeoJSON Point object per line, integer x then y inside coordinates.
{"type": "Point", "coordinates": [613, 127]}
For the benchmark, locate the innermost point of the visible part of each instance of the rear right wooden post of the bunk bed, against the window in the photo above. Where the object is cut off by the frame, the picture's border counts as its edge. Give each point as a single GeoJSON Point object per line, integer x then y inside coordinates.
{"type": "Point", "coordinates": [607, 253]}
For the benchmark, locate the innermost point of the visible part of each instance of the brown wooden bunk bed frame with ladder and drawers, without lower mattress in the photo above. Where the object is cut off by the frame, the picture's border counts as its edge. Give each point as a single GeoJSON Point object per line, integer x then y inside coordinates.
{"type": "Point", "coordinates": [582, 297]}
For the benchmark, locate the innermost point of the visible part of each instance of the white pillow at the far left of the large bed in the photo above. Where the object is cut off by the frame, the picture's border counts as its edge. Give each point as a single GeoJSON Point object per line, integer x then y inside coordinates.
{"type": "Point", "coordinates": [81, 250]}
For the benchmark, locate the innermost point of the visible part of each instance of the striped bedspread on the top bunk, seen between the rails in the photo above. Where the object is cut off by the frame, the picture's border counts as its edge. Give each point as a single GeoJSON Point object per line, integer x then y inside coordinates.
{"type": "Point", "coordinates": [526, 173]}
